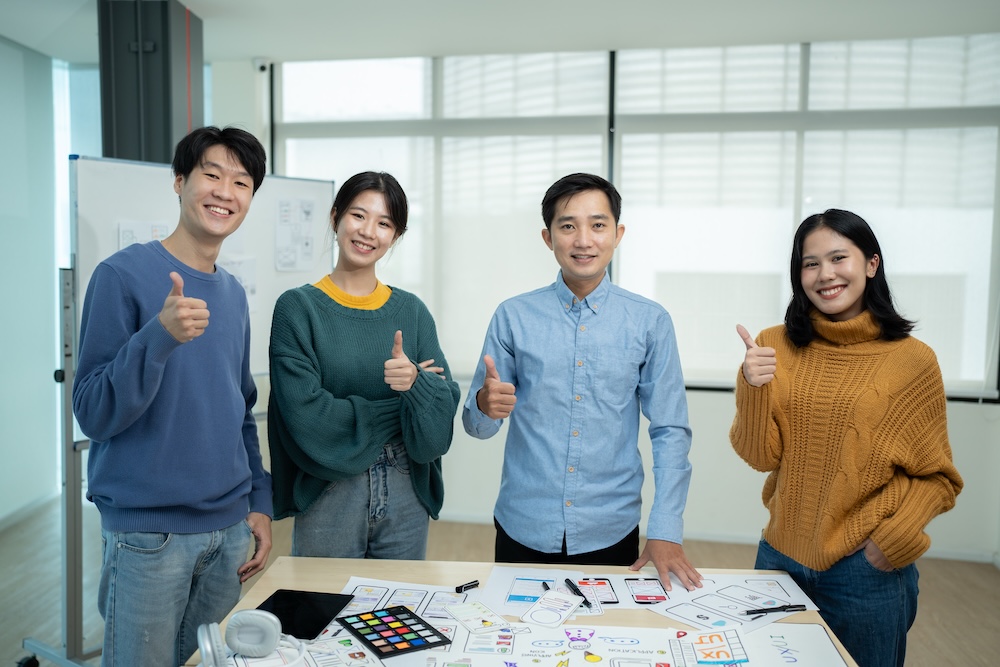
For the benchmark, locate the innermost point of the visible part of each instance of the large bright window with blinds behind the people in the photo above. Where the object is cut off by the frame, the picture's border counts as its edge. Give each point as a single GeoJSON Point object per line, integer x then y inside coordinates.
{"type": "Point", "coordinates": [719, 153]}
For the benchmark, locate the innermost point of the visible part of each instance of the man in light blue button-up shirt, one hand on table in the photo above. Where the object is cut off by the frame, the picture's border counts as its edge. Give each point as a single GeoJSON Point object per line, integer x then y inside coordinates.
{"type": "Point", "coordinates": [578, 360]}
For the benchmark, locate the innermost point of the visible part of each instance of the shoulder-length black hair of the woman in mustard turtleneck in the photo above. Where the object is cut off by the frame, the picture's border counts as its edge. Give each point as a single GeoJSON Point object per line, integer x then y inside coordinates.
{"type": "Point", "coordinates": [877, 297]}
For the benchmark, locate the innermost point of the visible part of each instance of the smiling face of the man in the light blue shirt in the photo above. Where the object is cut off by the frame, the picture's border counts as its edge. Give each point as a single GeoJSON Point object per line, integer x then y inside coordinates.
{"type": "Point", "coordinates": [583, 237]}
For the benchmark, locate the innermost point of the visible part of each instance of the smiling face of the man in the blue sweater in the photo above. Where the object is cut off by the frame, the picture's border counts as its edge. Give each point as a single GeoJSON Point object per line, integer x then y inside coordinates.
{"type": "Point", "coordinates": [215, 197]}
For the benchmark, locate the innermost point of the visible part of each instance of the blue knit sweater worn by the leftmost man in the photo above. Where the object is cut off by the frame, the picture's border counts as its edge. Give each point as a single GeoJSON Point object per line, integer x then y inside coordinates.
{"type": "Point", "coordinates": [173, 442]}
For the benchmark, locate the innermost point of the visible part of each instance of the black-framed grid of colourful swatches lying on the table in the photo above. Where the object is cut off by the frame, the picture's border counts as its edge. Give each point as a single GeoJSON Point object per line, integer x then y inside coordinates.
{"type": "Point", "coordinates": [393, 631]}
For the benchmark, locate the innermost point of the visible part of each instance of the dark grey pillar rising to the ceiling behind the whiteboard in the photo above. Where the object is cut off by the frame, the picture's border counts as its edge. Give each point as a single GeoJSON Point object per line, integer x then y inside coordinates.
{"type": "Point", "coordinates": [152, 84]}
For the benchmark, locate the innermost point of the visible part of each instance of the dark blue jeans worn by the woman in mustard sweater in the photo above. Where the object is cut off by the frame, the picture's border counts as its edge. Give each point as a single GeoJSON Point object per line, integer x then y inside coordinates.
{"type": "Point", "coordinates": [869, 610]}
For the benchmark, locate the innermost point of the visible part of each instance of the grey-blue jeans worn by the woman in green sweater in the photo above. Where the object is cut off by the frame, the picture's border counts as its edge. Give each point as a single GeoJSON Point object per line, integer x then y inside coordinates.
{"type": "Point", "coordinates": [372, 515]}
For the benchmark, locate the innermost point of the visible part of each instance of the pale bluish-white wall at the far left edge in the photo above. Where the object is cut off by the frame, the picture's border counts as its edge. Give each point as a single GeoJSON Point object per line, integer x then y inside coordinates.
{"type": "Point", "coordinates": [29, 411]}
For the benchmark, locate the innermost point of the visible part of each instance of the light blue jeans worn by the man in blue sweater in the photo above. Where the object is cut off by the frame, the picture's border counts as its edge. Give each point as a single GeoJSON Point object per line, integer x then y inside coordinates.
{"type": "Point", "coordinates": [157, 588]}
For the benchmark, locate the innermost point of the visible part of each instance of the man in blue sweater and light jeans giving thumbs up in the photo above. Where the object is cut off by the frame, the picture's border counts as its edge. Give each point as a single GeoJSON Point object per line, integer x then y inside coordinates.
{"type": "Point", "coordinates": [175, 467]}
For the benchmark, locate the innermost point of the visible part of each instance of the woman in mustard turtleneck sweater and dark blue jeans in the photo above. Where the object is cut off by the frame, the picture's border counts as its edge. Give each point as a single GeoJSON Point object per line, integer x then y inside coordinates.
{"type": "Point", "coordinates": [846, 411]}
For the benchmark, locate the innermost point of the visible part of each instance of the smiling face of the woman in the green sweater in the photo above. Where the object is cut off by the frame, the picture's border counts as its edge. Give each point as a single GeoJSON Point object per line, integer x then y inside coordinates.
{"type": "Point", "coordinates": [365, 232]}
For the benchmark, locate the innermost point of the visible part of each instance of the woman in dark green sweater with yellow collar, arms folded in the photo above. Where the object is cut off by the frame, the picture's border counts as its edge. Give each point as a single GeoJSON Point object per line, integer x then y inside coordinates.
{"type": "Point", "coordinates": [355, 427]}
